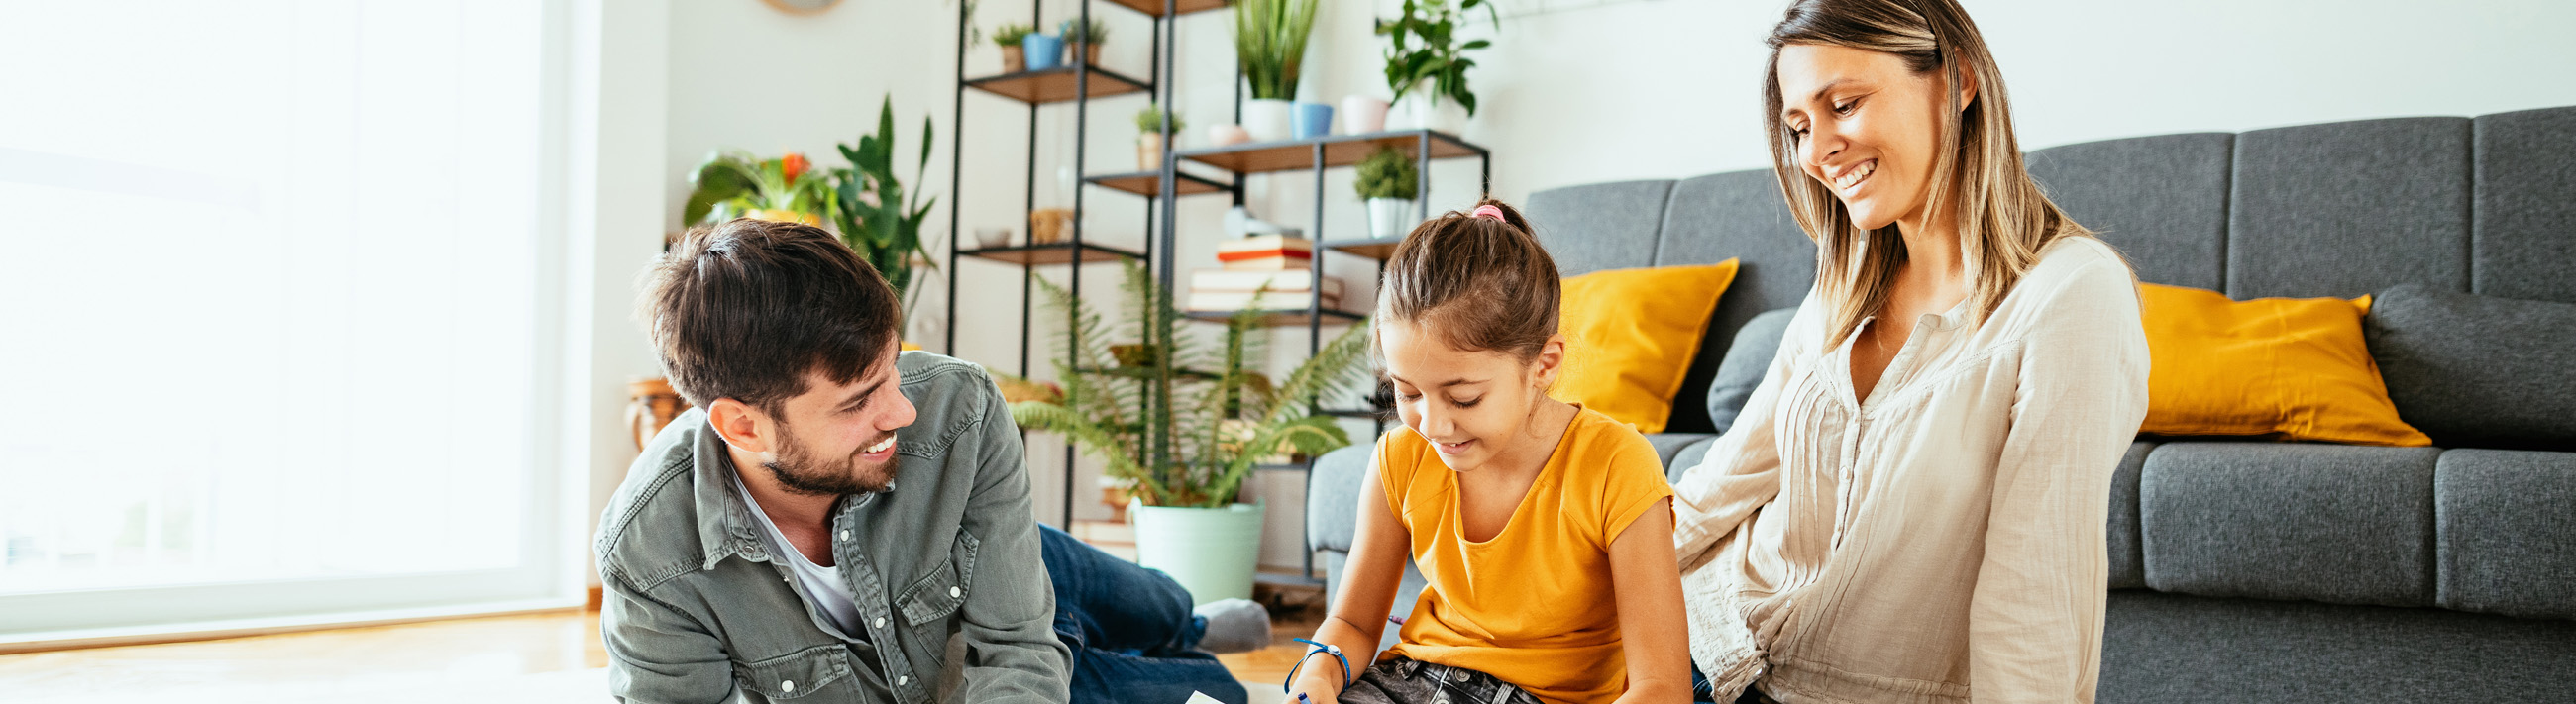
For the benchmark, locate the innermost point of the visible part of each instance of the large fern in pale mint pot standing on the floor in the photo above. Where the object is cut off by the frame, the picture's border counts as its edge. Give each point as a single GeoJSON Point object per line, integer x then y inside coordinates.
{"type": "Point", "coordinates": [1189, 440]}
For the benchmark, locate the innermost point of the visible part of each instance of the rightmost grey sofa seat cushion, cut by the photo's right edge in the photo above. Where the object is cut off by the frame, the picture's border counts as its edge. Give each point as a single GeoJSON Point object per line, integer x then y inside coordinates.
{"type": "Point", "coordinates": [2508, 533]}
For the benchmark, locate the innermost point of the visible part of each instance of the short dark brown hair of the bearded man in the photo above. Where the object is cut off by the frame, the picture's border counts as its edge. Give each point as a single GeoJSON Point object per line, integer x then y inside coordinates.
{"type": "Point", "coordinates": [746, 308]}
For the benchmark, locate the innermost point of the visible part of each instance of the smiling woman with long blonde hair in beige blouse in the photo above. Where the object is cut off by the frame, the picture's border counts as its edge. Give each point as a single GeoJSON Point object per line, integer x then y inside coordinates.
{"type": "Point", "coordinates": [1913, 504]}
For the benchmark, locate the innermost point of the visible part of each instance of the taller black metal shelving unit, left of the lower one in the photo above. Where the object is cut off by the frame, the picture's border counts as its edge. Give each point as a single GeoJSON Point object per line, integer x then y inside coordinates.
{"type": "Point", "coordinates": [1075, 84]}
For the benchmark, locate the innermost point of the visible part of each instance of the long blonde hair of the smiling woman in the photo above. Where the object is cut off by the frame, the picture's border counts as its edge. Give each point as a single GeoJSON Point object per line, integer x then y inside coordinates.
{"type": "Point", "coordinates": [1977, 182]}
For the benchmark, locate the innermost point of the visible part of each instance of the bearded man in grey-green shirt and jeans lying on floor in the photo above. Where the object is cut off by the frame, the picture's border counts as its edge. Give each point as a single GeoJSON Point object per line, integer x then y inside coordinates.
{"type": "Point", "coordinates": [844, 522]}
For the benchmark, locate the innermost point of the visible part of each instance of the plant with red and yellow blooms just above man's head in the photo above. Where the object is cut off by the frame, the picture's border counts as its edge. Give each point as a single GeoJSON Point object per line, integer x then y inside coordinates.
{"type": "Point", "coordinates": [735, 184]}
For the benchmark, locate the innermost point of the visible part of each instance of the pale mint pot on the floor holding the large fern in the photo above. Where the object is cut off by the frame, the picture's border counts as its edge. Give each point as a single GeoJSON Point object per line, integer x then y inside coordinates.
{"type": "Point", "coordinates": [1207, 551]}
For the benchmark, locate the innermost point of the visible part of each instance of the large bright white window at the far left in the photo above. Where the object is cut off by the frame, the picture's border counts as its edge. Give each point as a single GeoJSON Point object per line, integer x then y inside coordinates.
{"type": "Point", "coordinates": [269, 308]}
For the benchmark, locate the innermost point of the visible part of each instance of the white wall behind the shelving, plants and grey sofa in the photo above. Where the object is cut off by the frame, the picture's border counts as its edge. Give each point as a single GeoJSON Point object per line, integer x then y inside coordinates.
{"type": "Point", "coordinates": [1575, 92]}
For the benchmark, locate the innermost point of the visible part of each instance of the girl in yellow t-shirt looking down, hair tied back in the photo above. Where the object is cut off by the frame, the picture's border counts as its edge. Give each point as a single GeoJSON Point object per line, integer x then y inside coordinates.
{"type": "Point", "coordinates": [1542, 527]}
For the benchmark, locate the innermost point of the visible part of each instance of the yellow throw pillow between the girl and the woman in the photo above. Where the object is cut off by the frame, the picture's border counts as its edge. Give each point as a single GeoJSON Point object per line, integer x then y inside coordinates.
{"type": "Point", "coordinates": [1632, 337]}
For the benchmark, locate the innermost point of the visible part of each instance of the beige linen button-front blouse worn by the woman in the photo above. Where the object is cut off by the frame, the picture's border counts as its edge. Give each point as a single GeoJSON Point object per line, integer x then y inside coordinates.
{"type": "Point", "coordinates": [1944, 540]}
